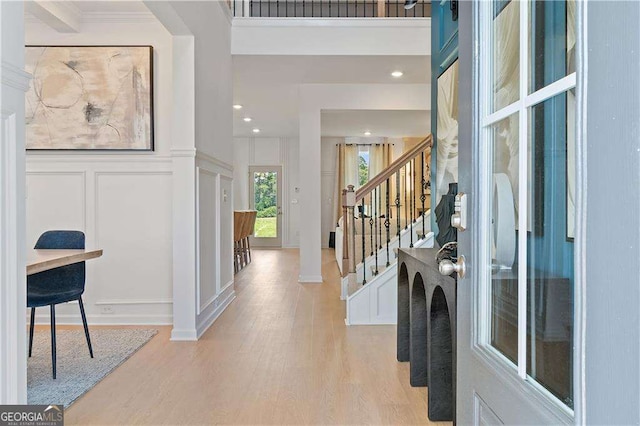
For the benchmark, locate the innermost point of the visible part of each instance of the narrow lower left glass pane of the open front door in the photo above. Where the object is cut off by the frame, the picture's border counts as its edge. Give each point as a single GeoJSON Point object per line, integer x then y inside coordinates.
{"type": "Point", "coordinates": [504, 218]}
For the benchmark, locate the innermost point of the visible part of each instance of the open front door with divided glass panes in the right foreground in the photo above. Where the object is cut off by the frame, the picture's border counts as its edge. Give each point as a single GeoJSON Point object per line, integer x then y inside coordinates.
{"type": "Point", "coordinates": [516, 325]}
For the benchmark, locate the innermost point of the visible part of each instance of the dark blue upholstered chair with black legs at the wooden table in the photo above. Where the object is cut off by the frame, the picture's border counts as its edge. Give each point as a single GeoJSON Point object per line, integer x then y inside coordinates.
{"type": "Point", "coordinates": [59, 285]}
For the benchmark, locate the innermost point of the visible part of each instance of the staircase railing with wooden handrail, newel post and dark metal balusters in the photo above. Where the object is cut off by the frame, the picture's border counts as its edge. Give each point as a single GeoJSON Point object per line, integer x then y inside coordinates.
{"type": "Point", "coordinates": [390, 202]}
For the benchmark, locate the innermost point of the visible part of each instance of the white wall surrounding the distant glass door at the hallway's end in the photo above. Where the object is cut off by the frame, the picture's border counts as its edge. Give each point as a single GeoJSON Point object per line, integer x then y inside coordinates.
{"type": "Point", "coordinates": [270, 152]}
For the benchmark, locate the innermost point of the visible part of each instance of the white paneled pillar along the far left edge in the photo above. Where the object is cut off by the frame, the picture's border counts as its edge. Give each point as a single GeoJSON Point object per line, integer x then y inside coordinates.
{"type": "Point", "coordinates": [15, 82]}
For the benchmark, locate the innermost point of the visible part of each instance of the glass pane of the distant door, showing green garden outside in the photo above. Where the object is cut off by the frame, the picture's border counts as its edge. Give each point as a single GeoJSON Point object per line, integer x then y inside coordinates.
{"type": "Point", "coordinates": [265, 194]}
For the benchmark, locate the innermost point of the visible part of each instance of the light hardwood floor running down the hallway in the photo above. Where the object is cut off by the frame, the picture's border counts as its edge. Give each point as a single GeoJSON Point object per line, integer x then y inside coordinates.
{"type": "Point", "coordinates": [280, 354]}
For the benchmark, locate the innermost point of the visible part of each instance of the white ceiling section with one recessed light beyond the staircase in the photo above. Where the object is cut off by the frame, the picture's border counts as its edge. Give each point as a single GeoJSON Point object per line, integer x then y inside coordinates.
{"type": "Point", "coordinates": [379, 123]}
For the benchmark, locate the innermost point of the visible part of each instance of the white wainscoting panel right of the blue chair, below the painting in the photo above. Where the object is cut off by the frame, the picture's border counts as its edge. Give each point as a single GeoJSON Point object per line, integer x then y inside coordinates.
{"type": "Point", "coordinates": [133, 225]}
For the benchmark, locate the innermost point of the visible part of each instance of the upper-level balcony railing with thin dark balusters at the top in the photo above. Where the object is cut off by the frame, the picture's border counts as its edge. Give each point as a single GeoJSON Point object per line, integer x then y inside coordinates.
{"type": "Point", "coordinates": [328, 9]}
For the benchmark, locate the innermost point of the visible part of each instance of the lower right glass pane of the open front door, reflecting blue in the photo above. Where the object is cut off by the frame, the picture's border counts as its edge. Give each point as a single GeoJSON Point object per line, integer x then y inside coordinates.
{"type": "Point", "coordinates": [550, 248]}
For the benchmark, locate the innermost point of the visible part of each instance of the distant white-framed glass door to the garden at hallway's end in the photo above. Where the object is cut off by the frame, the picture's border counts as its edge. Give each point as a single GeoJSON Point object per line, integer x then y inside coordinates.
{"type": "Point", "coordinates": [265, 195]}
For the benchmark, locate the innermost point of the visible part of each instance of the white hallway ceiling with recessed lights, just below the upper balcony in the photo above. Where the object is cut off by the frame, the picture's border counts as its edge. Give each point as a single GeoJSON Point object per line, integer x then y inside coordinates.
{"type": "Point", "coordinates": [267, 86]}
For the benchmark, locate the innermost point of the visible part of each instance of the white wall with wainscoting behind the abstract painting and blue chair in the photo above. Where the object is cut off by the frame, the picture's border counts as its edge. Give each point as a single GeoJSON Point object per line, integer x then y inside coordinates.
{"type": "Point", "coordinates": [122, 201]}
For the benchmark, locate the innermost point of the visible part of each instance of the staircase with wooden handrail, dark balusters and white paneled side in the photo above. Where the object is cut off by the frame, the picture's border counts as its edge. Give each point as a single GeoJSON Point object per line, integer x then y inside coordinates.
{"type": "Point", "coordinates": [395, 196]}
